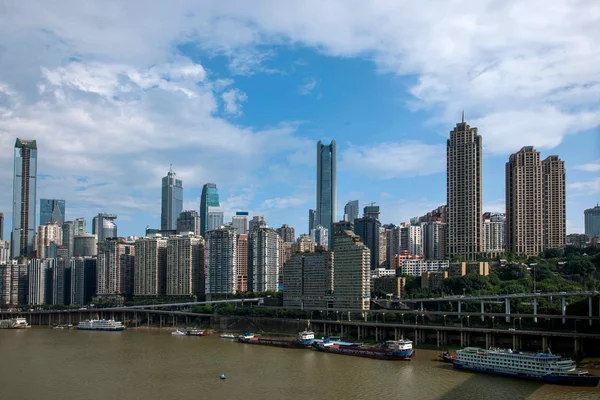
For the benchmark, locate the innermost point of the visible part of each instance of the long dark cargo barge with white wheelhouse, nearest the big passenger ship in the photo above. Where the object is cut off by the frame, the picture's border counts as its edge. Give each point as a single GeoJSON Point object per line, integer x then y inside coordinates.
{"type": "Point", "coordinates": [390, 350]}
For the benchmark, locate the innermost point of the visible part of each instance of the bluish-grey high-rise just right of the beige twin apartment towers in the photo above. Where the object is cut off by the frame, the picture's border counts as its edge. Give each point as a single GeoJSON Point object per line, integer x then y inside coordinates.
{"type": "Point", "coordinates": [221, 261]}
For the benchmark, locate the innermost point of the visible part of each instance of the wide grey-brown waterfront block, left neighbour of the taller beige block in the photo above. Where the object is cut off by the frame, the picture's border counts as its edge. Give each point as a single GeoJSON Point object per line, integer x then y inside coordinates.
{"type": "Point", "coordinates": [308, 280]}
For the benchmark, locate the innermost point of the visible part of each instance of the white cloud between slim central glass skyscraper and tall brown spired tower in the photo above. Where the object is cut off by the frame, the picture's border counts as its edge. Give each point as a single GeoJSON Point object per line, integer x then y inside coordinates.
{"type": "Point", "coordinates": [394, 160]}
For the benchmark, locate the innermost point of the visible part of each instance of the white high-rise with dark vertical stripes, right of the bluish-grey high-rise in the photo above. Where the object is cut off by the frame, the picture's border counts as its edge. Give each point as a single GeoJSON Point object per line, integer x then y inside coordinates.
{"type": "Point", "coordinates": [263, 260]}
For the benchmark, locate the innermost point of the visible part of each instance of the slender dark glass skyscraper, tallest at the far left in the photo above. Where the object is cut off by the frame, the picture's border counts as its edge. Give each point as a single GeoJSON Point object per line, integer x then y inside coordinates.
{"type": "Point", "coordinates": [24, 187]}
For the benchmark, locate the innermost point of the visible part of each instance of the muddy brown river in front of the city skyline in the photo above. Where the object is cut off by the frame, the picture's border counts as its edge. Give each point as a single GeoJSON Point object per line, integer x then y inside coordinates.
{"type": "Point", "coordinates": [52, 364]}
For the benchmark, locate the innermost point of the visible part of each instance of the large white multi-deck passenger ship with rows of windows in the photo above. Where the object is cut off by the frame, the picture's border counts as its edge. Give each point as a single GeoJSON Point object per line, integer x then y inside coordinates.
{"type": "Point", "coordinates": [546, 367]}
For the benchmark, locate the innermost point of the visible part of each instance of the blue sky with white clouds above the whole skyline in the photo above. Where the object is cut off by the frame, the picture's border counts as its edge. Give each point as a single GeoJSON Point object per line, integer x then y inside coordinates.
{"type": "Point", "coordinates": [238, 93]}
